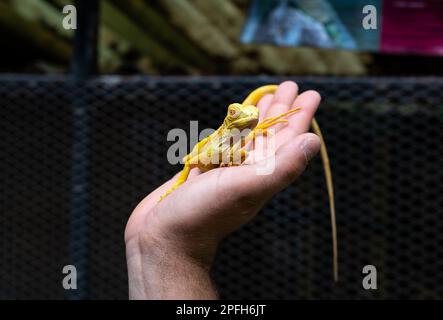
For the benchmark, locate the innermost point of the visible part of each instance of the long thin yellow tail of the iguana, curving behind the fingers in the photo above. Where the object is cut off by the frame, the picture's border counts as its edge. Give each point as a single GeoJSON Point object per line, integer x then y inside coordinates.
{"type": "Point", "coordinates": [252, 99]}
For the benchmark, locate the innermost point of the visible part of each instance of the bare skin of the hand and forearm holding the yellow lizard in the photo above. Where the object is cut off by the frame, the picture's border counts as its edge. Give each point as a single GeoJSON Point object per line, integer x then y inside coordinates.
{"type": "Point", "coordinates": [170, 245]}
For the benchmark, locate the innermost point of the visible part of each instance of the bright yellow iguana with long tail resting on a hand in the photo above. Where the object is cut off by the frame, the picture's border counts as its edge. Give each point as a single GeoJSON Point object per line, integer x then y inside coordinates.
{"type": "Point", "coordinates": [225, 146]}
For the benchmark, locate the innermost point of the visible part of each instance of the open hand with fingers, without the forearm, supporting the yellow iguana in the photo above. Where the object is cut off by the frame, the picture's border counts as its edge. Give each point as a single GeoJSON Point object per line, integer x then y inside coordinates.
{"type": "Point", "coordinates": [212, 204]}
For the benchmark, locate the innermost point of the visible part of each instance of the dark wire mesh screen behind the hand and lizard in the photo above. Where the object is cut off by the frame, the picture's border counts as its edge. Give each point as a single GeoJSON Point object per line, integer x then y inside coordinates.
{"type": "Point", "coordinates": [77, 157]}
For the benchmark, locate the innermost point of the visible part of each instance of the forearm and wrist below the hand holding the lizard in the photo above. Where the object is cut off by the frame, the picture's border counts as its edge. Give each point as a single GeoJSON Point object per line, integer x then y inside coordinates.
{"type": "Point", "coordinates": [159, 271]}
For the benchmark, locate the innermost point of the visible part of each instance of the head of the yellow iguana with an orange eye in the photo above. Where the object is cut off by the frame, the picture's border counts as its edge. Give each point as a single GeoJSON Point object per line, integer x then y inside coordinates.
{"type": "Point", "coordinates": [241, 116]}
